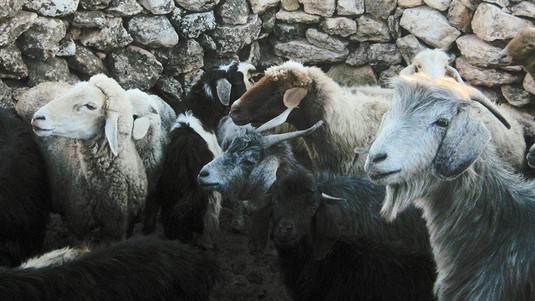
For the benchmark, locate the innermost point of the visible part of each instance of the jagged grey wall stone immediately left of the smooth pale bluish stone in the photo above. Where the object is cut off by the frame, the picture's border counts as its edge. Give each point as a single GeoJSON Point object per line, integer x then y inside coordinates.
{"type": "Point", "coordinates": [111, 37]}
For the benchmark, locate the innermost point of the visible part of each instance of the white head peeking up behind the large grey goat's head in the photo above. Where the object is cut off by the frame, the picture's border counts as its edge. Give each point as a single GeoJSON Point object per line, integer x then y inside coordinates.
{"type": "Point", "coordinates": [433, 62]}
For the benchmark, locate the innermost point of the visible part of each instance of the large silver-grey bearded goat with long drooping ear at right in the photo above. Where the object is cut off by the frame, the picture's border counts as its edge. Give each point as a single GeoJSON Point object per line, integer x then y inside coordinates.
{"type": "Point", "coordinates": [433, 151]}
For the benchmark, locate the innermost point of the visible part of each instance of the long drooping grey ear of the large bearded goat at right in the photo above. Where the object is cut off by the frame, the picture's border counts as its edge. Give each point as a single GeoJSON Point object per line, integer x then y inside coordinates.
{"type": "Point", "coordinates": [465, 139]}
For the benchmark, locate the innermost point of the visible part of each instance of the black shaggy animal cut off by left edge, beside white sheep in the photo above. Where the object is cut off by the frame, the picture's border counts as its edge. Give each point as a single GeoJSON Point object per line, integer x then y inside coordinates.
{"type": "Point", "coordinates": [25, 199]}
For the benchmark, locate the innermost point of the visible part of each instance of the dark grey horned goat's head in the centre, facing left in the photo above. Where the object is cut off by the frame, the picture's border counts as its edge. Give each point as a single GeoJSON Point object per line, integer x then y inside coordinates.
{"type": "Point", "coordinates": [248, 167]}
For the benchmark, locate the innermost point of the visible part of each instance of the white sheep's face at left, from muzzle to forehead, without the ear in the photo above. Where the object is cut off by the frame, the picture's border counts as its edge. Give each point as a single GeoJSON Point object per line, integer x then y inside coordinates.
{"type": "Point", "coordinates": [76, 114]}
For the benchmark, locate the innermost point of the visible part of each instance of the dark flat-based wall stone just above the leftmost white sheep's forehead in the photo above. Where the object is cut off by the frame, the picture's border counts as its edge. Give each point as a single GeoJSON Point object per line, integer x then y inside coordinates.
{"type": "Point", "coordinates": [52, 69]}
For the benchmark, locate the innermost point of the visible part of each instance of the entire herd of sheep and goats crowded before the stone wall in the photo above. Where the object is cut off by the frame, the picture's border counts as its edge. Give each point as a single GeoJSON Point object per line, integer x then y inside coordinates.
{"type": "Point", "coordinates": [414, 192]}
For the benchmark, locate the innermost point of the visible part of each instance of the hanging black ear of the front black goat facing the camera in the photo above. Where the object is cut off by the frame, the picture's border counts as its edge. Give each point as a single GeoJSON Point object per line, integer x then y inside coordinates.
{"type": "Point", "coordinates": [326, 232]}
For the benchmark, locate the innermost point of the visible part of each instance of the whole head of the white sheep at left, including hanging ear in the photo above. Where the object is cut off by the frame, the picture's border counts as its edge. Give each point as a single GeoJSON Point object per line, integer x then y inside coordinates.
{"type": "Point", "coordinates": [85, 110]}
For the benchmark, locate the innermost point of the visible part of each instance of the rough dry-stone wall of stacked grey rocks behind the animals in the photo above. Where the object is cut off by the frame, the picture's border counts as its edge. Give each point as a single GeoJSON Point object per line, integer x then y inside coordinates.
{"type": "Point", "coordinates": [163, 45]}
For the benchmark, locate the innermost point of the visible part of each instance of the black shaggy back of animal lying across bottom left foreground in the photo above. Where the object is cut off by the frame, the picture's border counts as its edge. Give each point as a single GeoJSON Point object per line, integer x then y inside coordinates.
{"type": "Point", "coordinates": [136, 269]}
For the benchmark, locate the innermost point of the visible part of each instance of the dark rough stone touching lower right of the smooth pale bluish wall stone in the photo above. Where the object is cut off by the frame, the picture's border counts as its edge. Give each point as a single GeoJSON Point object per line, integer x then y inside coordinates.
{"type": "Point", "coordinates": [184, 57]}
